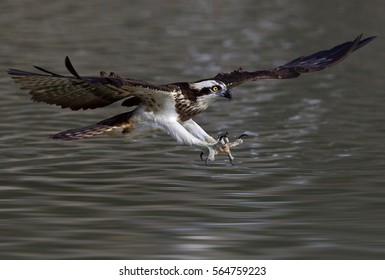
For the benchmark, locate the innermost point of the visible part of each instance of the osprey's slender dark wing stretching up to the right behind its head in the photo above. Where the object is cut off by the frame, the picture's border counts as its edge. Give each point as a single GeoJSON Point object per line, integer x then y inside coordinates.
{"type": "Point", "coordinates": [304, 64]}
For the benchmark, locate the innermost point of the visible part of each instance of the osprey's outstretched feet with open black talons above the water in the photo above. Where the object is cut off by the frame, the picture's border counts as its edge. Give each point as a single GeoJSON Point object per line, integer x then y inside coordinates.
{"type": "Point", "coordinates": [223, 145]}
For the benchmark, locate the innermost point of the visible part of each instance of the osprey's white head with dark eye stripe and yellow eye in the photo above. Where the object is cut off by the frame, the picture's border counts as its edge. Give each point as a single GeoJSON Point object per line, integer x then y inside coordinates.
{"type": "Point", "coordinates": [207, 91]}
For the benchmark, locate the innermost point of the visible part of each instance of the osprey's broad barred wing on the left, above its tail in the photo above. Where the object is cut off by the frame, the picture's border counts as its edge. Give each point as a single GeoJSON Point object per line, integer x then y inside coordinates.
{"type": "Point", "coordinates": [77, 92]}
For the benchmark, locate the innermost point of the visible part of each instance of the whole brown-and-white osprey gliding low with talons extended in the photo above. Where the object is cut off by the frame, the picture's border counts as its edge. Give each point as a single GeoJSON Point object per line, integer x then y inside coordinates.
{"type": "Point", "coordinates": [169, 107]}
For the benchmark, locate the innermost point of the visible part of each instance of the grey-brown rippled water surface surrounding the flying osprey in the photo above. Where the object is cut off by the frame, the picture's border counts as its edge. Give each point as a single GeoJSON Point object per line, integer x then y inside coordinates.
{"type": "Point", "coordinates": [309, 182]}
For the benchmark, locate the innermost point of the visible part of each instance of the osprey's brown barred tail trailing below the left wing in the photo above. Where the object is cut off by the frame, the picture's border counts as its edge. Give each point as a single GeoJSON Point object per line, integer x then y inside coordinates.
{"type": "Point", "coordinates": [121, 121]}
